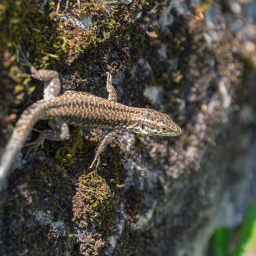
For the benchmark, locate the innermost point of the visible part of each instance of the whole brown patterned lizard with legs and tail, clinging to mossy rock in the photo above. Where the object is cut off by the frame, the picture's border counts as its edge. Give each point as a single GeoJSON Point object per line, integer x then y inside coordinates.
{"type": "Point", "coordinates": [80, 109]}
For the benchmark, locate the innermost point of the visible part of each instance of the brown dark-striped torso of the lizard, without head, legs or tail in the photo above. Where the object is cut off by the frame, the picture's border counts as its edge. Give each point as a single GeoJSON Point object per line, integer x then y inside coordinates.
{"type": "Point", "coordinates": [86, 110]}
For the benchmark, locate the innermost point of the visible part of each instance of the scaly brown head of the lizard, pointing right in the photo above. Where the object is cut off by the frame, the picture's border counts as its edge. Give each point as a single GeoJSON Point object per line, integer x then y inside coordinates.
{"type": "Point", "coordinates": [156, 123]}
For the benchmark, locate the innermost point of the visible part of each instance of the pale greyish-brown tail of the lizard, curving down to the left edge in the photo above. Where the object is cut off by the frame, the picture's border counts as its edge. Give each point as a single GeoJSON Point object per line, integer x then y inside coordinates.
{"type": "Point", "coordinates": [20, 133]}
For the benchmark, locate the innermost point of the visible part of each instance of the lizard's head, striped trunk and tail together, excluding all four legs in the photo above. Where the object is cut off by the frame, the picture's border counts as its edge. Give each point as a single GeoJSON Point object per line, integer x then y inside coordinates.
{"type": "Point", "coordinates": [84, 109]}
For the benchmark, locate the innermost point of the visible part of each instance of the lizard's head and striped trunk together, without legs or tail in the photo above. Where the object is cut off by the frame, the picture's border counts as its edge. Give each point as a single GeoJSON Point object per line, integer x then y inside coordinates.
{"type": "Point", "coordinates": [87, 110]}
